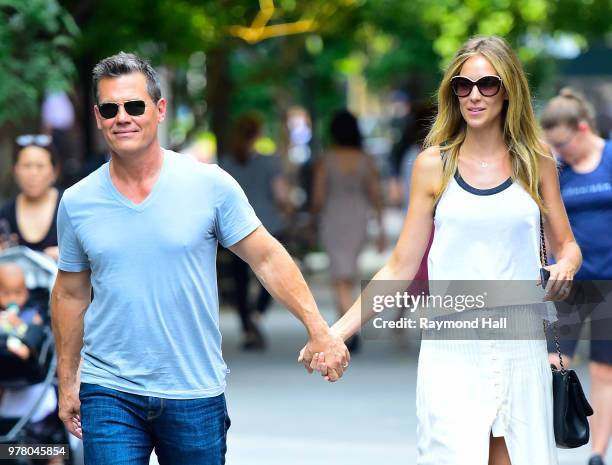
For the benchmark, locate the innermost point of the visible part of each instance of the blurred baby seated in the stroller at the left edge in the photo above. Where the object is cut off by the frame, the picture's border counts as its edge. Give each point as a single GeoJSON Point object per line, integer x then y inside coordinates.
{"type": "Point", "coordinates": [21, 329]}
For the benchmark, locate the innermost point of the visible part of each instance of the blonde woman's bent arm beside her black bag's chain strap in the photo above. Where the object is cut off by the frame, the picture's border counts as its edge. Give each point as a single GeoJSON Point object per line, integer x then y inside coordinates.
{"type": "Point", "coordinates": [558, 232]}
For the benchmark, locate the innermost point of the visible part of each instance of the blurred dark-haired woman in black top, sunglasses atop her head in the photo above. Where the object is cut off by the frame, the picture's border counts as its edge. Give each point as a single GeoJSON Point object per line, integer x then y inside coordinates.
{"type": "Point", "coordinates": [30, 218]}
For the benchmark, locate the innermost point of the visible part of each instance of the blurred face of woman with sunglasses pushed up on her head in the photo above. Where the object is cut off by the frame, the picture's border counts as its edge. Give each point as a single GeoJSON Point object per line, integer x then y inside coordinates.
{"type": "Point", "coordinates": [34, 171]}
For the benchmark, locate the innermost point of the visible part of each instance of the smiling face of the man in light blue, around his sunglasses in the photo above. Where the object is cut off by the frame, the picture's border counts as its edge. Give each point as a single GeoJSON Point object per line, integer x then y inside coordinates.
{"type": "Point", "coordinates": [124, 133]}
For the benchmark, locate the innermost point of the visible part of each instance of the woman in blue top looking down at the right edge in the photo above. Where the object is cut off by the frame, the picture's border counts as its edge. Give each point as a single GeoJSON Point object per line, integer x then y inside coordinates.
{"type": "Point", "coordinates": [586, 186]}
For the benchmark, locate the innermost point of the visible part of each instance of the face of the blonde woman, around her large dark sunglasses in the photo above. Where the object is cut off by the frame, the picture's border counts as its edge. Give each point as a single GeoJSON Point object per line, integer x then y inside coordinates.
{"type": "Point", "coordinates": [477, 110]}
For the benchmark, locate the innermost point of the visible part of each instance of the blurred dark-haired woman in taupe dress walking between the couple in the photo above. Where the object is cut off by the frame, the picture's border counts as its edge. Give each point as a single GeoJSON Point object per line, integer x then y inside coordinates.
{"type": "Point", "coordinates": [346, 187]}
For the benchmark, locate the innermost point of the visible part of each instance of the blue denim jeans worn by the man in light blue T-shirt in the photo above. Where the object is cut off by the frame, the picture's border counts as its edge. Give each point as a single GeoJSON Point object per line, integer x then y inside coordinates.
{"type": "Point", "coordinates": [123, 429]}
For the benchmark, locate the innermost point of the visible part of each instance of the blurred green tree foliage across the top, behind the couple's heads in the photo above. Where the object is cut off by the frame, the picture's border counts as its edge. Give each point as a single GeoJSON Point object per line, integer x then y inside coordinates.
{"type": "Point", "coordinates": [393, 43]}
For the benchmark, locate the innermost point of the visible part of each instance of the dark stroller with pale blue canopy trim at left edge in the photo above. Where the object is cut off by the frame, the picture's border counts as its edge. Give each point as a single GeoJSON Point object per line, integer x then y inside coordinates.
{"type": "Point", "coordinates": [39, 371]}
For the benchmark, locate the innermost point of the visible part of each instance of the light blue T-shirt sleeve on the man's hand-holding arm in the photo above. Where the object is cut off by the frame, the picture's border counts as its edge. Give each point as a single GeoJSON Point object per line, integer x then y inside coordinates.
{"type": "Point", "coordinates": [234, 217]}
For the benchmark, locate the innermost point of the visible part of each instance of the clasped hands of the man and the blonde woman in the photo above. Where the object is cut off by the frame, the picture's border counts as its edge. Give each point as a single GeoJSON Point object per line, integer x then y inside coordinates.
{"type": "Point", "coordinates": [332, 363]}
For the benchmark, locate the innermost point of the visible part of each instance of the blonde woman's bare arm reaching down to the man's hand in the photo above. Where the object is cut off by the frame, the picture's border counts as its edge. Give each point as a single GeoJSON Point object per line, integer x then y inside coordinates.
{"type": "Point", "coordinates": [404, 262]}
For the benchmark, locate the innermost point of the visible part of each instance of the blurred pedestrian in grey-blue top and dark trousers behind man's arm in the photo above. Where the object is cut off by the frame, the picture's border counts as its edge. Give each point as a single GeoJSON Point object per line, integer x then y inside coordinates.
{"type": "Point", "coordinates": [261, 178]}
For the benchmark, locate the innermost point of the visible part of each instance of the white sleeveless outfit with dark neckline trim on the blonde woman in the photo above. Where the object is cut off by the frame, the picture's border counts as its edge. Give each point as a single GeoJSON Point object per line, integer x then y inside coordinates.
{"type": "Point", "coordinates": [467, 389]}
